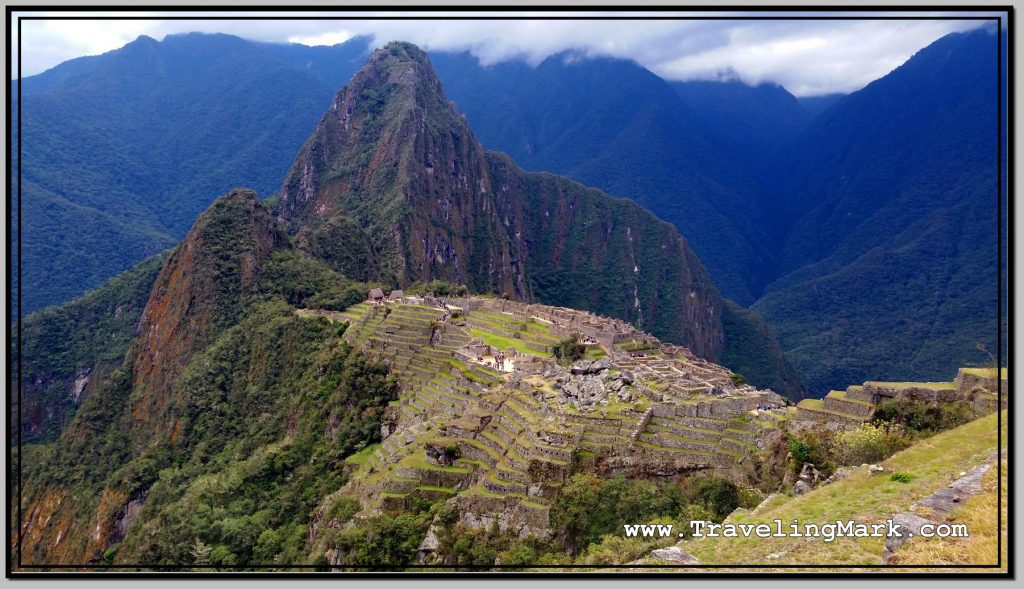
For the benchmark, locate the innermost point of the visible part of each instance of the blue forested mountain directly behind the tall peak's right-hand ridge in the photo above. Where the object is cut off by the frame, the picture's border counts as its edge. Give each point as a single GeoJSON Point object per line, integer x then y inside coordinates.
{"type": "Point", "coordinates": [614, 125]}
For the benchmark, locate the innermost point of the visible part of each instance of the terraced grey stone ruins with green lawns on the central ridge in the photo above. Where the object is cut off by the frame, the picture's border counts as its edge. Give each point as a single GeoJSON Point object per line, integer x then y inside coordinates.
{"type": "Point", "coordinates": [499, 445]}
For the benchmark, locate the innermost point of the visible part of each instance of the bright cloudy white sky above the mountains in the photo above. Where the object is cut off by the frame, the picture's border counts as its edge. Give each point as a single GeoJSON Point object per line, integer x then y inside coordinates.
{"type": "Point", "coordinates": [809, 58]}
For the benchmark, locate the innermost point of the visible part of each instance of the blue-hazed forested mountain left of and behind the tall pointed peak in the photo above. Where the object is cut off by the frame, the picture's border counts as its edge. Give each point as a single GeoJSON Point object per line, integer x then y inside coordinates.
{"type": "Point", "coordinates": [122, 151]}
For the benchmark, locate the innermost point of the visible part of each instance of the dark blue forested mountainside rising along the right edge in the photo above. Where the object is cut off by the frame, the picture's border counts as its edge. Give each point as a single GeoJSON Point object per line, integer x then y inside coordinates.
{"type": "Point", "coordinates": [888, 219]}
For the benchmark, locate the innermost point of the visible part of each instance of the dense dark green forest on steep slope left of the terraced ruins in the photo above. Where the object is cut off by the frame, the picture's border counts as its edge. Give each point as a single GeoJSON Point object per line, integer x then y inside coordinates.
{"type": "Point", "coordinates": [242, 489]}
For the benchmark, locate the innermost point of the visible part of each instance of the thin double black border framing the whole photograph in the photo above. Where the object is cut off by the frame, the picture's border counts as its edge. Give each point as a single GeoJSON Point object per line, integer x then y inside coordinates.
{"type": "Point", "coordinates": [752, 13]}
